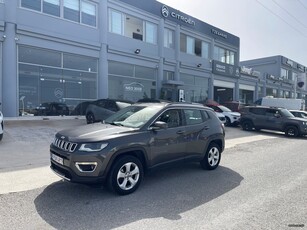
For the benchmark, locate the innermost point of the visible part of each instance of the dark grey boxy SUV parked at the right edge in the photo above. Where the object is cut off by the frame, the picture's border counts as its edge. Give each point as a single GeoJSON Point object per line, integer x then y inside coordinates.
{"type": "Point", "coordinates": [272, 118]}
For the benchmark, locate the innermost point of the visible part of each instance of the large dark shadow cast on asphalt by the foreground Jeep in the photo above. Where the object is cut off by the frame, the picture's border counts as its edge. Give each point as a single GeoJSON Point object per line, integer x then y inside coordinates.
{"type": "Point", "coordinates": [163, 194]}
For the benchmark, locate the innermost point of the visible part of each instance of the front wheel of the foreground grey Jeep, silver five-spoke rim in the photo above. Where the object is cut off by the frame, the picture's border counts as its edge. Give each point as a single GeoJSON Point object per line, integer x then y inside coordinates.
{"type": "Point", "coordinates": [126, 175]}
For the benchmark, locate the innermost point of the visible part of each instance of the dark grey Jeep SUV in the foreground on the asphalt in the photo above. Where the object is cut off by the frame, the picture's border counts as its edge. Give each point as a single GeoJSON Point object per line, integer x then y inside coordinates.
{"type": "Point", "coordinates": [136, 139]}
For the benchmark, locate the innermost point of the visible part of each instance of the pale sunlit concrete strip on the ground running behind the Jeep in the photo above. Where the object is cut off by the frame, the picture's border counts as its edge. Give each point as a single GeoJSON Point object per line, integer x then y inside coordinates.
{"type": "Point", "coordinates": [29, 179]}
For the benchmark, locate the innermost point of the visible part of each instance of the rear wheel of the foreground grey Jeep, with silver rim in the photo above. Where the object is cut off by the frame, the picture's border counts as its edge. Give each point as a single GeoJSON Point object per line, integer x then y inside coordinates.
{"type": "Point", "coordinates": [212, 157]}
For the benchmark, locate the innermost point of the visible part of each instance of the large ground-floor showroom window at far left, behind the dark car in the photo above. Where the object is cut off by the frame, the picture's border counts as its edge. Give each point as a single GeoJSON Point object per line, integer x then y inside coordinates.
{"type": "Point", "coordinates": [42, 83]}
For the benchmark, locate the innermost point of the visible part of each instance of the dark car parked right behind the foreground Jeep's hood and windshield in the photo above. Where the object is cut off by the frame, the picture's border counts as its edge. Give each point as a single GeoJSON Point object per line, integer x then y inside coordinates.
{"type": "Point", "coordinates": [103, 108]}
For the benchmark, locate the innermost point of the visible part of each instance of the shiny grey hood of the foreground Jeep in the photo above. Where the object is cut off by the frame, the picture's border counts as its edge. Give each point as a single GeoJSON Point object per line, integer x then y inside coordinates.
{"type": "Point", "coordinates": [93, 132]}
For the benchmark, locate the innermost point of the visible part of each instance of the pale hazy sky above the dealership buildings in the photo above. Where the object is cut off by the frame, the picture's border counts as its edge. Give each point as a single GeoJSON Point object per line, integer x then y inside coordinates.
{"type": "Point", "coordinates": [265, 27]}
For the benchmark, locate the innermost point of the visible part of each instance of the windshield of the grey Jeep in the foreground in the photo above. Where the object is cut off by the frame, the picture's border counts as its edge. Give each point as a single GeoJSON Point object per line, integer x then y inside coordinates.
{"type": "Point", "coordinates": [133, 116]}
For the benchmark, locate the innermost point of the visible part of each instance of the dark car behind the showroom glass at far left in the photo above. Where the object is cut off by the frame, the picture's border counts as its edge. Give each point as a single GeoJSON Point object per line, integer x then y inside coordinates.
{"type": "Point", "coordinates": [52, 109]}
